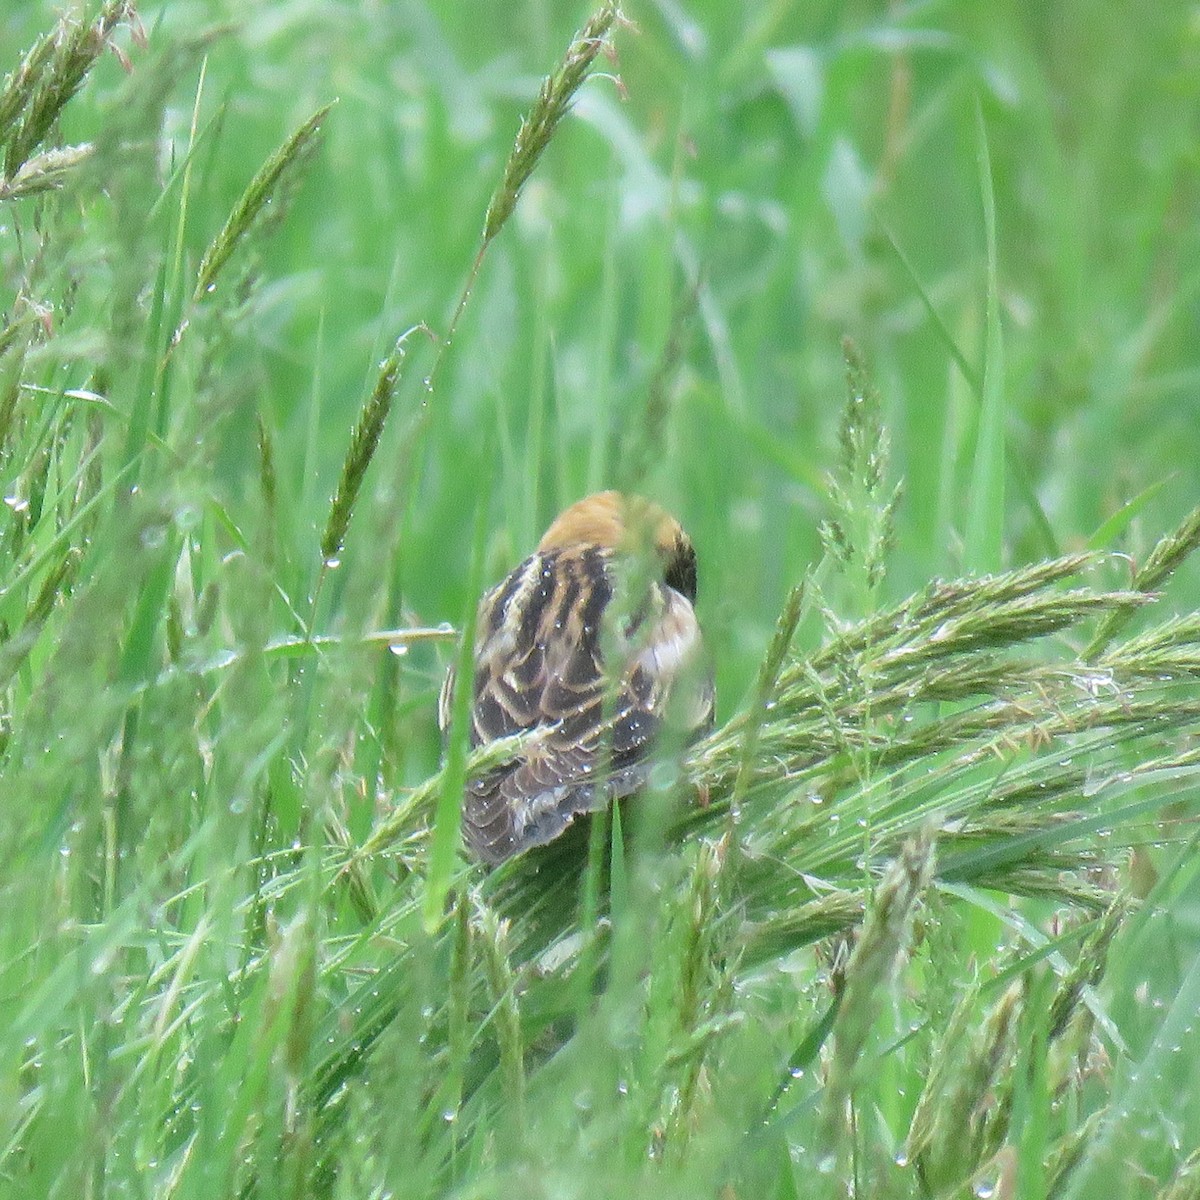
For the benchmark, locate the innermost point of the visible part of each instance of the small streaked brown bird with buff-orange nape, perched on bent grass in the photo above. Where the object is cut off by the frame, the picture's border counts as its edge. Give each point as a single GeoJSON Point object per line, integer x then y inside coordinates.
{"type": "Point", "coordinates": [591, 645]}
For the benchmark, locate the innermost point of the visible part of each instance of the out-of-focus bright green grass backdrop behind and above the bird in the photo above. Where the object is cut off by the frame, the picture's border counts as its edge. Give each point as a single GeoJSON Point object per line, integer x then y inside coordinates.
{"type": "Point", "coordinates": [790, 158]}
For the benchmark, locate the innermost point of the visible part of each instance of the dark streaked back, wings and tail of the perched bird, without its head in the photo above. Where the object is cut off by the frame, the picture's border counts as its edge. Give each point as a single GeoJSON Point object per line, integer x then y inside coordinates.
{"type": "Point", "coordinates": [539, 668]}
